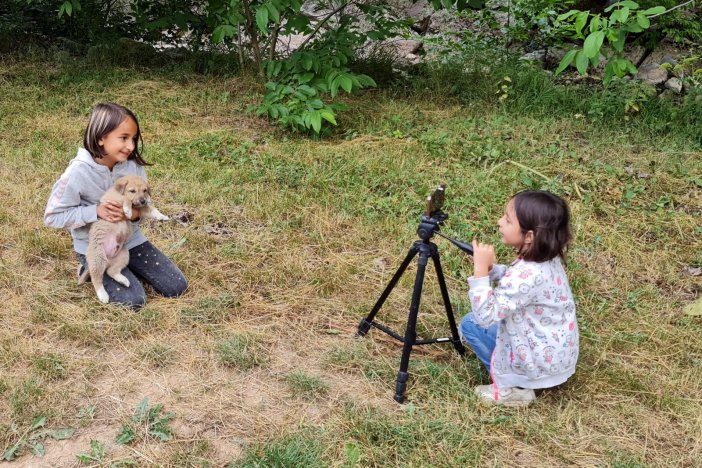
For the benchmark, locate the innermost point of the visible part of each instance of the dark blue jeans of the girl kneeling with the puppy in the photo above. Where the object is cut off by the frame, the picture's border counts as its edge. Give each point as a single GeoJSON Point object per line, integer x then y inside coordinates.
{"type": "Point", "coordinates": [151, 265]}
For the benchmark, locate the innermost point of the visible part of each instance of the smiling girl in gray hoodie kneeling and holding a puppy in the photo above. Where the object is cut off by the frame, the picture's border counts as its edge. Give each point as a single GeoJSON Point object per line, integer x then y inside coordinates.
{"type": "Point", "coordinates": [110, 151]}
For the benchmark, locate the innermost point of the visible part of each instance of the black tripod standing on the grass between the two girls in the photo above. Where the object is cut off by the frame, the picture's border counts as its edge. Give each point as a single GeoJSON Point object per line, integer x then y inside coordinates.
{"type": "Point", "coordinates": [426, 249]}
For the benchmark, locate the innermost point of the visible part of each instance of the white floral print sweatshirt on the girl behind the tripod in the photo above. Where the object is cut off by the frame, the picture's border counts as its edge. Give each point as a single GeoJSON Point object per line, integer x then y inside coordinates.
{"type": "Point", "coordinates": [537, 337]}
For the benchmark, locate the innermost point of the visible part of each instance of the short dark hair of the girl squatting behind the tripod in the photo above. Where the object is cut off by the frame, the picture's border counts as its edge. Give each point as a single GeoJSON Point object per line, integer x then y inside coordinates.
{"type": "Point", "coordinates": [548, 217]}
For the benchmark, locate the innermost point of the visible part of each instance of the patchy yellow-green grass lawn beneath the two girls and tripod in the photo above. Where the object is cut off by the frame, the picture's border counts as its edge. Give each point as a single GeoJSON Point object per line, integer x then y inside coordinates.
{"type": "Point", "coordinates": [287, 242]}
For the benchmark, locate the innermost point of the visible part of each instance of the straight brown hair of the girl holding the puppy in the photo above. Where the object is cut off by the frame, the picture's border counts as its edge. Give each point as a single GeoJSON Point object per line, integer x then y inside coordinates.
{"type": "Point", "coordinates": [107, 116]}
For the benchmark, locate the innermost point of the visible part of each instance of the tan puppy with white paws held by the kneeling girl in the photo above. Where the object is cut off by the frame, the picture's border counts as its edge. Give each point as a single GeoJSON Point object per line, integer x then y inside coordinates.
{"type": "Point", "coordinates": [106, 252]}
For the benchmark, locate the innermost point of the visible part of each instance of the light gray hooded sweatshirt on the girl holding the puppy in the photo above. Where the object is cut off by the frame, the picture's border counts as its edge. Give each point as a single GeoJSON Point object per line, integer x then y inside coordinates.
{"type": "Point", "coordinates": [75, 196]}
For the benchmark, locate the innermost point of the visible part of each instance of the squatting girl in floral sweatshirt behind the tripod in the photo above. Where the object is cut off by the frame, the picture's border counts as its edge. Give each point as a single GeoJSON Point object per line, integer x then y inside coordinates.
{"type": "Point", "coordinates": [524, 328]}
